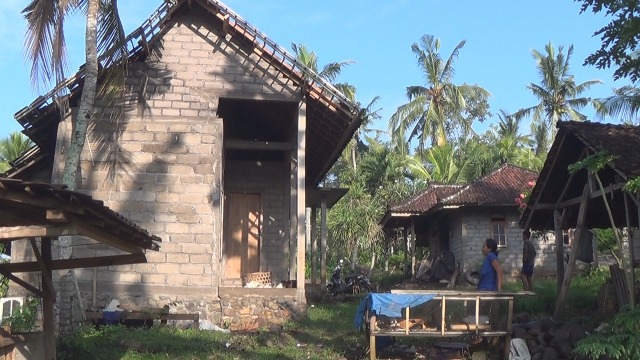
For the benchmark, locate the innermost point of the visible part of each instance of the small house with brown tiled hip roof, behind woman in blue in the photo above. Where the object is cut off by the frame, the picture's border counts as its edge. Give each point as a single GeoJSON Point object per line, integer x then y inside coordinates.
{"type": "Point", "coordinates": [458, 218]}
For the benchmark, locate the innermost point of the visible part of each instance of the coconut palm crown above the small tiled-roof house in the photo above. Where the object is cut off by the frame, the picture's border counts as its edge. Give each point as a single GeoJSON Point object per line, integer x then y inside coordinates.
{"type": "Point", "coordinates": [438, 105]}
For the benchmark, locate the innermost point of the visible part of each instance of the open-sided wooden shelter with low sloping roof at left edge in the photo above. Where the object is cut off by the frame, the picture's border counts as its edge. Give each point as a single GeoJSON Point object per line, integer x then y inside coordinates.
{"type": "Point", "coordinates": [33, 216]}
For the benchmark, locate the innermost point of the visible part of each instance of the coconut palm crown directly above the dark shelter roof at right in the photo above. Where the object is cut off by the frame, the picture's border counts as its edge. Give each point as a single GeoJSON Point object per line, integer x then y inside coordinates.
{"type": "Point", "coordinates": [558, 92]}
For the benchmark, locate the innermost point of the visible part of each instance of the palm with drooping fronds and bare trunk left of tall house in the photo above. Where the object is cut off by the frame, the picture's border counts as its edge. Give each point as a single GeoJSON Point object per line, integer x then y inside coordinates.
{"type": "Point", "coordinates": [46, 49]}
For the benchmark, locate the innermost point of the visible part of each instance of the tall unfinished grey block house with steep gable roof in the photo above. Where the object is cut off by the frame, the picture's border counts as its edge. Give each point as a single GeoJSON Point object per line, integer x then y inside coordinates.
{"type": "Point", "coordinates": [221, 148]}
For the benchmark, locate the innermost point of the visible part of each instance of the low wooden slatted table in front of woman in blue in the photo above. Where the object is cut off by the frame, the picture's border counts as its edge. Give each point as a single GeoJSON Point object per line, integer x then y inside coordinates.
{"type": "Point", "coordinates": [445, 329]}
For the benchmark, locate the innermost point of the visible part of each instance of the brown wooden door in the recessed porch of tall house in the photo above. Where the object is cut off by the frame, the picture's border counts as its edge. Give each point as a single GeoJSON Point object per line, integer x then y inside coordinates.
{"type": "Point", "coordinates": [243, 235]}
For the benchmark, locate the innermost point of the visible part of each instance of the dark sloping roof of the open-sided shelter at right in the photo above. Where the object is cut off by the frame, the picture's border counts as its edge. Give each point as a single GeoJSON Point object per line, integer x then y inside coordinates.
{"type": "Point", "coordinates": [555, 186]}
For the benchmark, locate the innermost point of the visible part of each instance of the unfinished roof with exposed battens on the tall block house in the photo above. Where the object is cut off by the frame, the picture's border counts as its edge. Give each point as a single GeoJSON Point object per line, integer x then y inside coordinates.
{"type": "Point", "coordinates": [332, 118]}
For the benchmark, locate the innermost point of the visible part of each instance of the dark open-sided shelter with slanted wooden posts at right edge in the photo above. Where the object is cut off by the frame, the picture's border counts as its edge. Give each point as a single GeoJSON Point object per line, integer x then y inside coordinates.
{"type": "Point", "coordinates": [562, 200]}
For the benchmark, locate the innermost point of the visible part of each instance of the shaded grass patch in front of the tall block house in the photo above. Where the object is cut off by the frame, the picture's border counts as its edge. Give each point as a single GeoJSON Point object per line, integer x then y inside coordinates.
{"type": "Point", "coordinates": [326, 332]}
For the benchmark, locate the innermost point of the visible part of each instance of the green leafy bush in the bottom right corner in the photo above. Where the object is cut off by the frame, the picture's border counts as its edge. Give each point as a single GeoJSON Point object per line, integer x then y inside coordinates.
{"type": "Point", "coordinates": [619, 340]}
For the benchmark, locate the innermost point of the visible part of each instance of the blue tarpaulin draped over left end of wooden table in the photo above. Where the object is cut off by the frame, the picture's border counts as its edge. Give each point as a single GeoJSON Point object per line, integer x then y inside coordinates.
{"type": "Point", "coordinates": [388, 304]}
